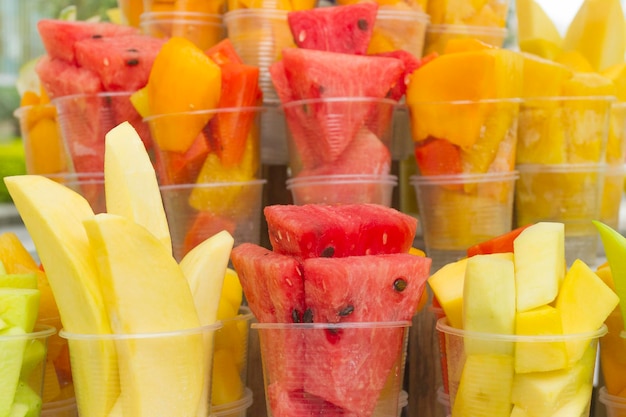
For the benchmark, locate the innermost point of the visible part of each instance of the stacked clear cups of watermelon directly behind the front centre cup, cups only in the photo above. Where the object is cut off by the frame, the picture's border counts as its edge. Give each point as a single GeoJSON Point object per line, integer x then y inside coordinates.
{"type": "Point", "coordinates": [340, 150]}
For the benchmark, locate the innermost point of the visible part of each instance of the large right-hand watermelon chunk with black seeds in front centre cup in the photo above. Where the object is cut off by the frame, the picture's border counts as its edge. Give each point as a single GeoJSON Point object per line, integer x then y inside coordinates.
{"type": "Point", "coordinates": [380, 288]}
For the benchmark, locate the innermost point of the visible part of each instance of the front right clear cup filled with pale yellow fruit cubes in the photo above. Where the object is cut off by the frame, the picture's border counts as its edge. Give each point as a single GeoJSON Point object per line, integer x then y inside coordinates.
{"type": "Point", "coordinates": [521, 330]}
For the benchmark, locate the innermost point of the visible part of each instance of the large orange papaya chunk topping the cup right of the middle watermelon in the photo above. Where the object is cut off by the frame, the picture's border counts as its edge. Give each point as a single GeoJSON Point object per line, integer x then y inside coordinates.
{"type": "Point", "coordinates": [464, 76]}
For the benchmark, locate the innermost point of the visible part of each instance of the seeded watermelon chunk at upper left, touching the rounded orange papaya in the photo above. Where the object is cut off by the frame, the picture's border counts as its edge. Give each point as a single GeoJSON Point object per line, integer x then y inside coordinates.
{"type": "Point", "coordinates": [122, 62]}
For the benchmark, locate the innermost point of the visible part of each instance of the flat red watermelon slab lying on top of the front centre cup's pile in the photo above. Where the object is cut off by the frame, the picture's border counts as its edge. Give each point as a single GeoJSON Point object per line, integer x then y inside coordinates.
{"type": "Point", "coordinates": [317, 230]}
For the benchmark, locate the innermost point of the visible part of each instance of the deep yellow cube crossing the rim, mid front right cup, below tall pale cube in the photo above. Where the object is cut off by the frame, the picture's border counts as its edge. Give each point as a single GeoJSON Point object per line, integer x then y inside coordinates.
{"type": "Point", "coordinates": [539, 356]}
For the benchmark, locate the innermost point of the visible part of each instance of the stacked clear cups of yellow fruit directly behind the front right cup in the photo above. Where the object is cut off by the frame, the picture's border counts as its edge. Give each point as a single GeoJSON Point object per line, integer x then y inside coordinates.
{"type": "Point", "coordinates": [562, 162]}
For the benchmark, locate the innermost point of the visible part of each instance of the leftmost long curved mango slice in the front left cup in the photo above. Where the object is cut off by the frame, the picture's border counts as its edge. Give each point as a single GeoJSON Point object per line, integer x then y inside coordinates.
{"type": "Point", "coordinates": [53, 216]}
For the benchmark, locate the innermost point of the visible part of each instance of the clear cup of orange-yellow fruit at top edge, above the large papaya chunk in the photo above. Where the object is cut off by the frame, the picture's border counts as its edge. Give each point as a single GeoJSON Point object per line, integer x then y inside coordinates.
{"type": "Point", "coordinates": [485, 21]}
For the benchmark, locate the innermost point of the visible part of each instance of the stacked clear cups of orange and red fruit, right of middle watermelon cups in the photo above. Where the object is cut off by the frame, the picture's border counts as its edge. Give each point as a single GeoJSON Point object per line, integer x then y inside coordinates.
{"type": "Point", "coordinates": [466, 173]}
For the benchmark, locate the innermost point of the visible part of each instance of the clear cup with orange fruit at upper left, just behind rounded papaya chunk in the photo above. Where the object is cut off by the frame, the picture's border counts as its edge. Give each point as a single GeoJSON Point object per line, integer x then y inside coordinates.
{"type": "Point", "coordinates": [203, 30]}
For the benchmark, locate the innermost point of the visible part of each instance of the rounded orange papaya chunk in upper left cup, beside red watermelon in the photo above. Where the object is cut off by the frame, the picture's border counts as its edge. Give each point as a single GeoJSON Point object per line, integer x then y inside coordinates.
{"type": "Point", "coordinates": [183, 79]}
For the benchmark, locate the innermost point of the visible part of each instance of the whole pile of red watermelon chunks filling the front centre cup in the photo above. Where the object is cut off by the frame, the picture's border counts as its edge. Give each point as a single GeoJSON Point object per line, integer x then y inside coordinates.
{"type": "Point", "coordinates": [333, 284]}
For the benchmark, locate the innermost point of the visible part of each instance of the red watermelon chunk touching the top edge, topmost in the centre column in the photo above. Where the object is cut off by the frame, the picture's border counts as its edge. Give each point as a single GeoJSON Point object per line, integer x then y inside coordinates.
{"type": "Point", "coordinates": [346, 29]}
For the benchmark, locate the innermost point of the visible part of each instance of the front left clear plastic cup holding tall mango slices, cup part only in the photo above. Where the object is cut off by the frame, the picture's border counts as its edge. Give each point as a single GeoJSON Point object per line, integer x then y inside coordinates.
{"type": "Point", "coordinates": [165, 373]}
